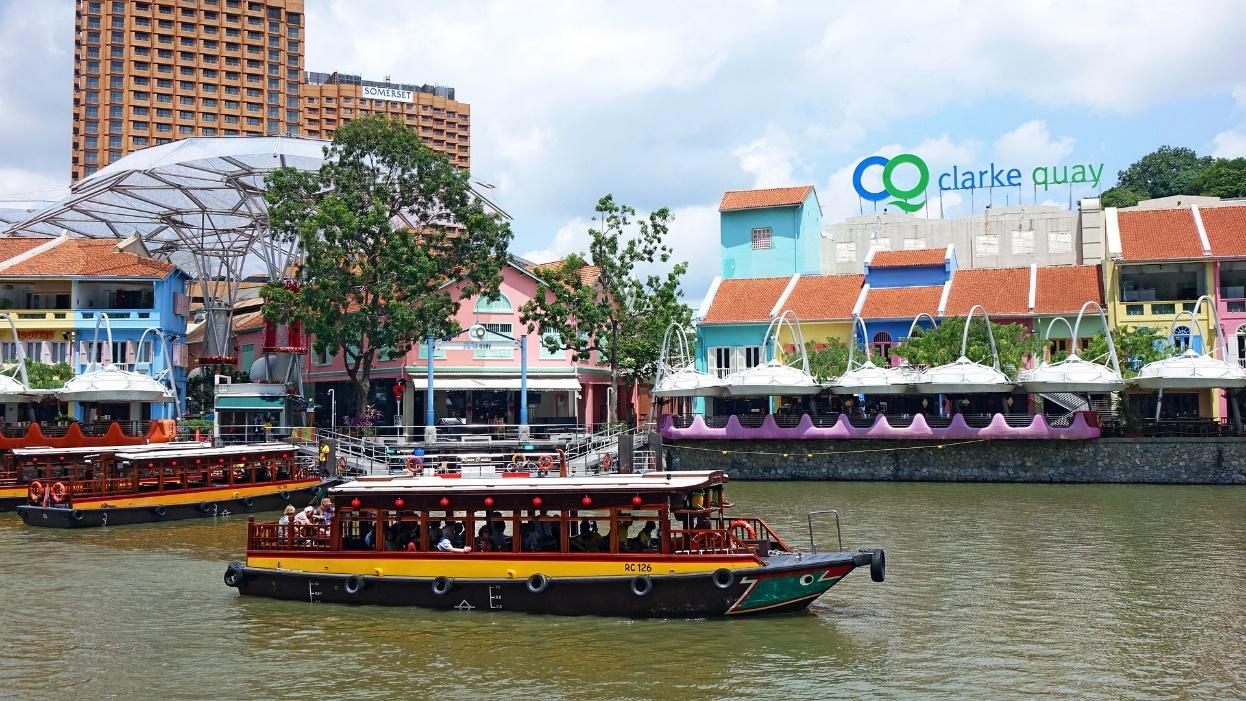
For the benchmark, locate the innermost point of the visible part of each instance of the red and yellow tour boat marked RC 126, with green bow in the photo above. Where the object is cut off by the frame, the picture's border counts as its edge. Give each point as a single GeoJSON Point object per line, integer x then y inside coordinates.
{"type": "Point", "coordinates": [670, 550]}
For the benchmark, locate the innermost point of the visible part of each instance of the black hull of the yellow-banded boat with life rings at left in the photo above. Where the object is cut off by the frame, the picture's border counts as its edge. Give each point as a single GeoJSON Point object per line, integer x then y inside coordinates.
{"type": "Point", "coordinates": [209, 507]}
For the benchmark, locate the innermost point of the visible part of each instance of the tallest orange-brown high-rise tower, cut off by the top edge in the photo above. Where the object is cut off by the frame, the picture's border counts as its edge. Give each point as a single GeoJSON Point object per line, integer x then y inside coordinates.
{"type": "Point", "coordinates": [148, 73]}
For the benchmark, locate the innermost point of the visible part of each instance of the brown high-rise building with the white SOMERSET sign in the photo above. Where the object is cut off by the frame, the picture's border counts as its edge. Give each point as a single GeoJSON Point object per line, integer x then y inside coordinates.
{"type": "Point", "coordinates": [332, 100]}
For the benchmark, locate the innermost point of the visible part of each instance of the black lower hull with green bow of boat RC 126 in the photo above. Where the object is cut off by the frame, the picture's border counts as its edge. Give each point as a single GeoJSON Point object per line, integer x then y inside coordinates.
{"type": "Point", "coordinates": [786, 583]}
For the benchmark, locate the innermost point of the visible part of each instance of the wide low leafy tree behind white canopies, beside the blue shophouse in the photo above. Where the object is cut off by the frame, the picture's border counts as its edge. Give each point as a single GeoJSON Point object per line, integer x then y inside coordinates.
{"type": "Point", "coordinates": [943, 346]}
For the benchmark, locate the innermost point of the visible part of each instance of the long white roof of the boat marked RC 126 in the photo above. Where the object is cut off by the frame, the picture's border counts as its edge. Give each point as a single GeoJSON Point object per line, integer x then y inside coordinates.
{"type": "Point", "coordinates": [647, 482]}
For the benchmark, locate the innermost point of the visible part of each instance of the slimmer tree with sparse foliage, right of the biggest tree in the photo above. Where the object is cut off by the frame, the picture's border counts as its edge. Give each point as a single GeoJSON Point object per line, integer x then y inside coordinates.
{"type": "Point", "coordinates": [614, 311]}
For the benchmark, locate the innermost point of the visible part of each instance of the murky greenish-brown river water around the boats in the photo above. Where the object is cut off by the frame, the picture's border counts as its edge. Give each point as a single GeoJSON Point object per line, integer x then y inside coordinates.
{"type": "Point", "coordinates": [994, 592]}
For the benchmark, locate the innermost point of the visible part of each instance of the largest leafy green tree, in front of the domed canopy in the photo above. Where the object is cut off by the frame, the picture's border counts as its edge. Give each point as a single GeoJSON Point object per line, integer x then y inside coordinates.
{"type": "Point", "coordinates": [368, 281]}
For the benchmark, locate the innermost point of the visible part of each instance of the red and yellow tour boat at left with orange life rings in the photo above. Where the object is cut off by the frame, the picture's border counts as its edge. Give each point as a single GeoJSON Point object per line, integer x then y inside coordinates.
{"type": "Point", "coordinates": [144, 485]}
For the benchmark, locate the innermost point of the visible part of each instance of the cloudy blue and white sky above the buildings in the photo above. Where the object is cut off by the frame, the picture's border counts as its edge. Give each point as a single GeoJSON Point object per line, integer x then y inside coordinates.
{"type": "Point", "coordinates": [672, 104]}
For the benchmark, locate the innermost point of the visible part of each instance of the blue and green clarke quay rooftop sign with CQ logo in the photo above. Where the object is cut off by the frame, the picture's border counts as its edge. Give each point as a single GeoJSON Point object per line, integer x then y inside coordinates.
{"type": "Point", "coordinates": [964, 179]}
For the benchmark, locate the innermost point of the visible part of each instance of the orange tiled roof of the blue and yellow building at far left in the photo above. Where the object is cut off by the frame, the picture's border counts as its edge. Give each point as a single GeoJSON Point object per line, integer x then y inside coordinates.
{"type": "Point", "coordinates": [78, 258]}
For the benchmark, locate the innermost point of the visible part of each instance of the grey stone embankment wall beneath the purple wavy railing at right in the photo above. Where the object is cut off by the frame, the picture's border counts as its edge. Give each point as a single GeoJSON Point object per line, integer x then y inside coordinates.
{"type": "Point", "coordinates": [1159, 461]}
